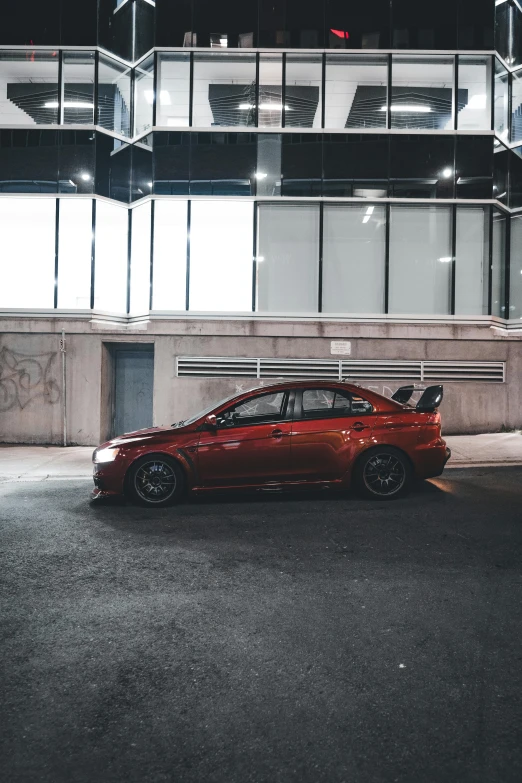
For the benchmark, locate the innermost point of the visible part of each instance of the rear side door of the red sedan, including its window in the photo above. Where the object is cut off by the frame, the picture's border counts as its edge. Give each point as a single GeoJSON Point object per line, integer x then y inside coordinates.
{"type": "Point", "coordinates": [330, 429]}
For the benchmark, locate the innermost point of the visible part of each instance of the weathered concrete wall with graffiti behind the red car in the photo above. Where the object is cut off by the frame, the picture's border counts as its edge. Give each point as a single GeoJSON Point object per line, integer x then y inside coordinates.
{"type": "Point", "coordinates": [31, 389]}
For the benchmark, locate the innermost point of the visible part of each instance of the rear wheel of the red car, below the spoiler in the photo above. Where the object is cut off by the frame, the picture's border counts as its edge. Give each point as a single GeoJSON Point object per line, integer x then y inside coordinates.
{"type": "Point", "coordinates": [383, 473]}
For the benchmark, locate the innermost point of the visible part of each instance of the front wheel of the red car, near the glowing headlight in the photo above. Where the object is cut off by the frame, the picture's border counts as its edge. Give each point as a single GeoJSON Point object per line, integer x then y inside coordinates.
{"type": "Point", "coordinates": [155, 481]}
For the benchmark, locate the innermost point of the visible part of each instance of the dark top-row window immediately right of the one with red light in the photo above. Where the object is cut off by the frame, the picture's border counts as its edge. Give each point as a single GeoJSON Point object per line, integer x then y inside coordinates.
{"type": "Point", "coordinates": [421, 25]}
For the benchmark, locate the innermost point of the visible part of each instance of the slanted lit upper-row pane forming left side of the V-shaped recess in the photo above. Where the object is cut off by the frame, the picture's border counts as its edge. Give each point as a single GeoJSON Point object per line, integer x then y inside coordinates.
{"type": "Point", "coordinates": [114, 96]}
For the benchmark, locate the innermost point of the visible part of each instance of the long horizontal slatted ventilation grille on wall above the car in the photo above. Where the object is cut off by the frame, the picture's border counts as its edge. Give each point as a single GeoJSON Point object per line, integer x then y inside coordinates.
{"type": "Point", "coordinates": [333, 369]}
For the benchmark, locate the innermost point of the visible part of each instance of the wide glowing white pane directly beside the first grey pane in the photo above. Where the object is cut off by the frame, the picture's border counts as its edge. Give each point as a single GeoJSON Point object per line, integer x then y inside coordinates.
{"type": "Point", "coordinates": [221, 241]}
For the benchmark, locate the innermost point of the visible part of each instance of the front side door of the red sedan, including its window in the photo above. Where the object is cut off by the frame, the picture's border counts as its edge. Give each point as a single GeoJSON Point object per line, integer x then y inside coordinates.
{"type": "Point", "coordinates": [251, 445]}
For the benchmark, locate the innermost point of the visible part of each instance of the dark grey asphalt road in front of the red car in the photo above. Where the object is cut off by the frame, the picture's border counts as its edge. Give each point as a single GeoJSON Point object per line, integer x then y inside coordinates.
{"type": "Point", "coordinates": [264, 639]}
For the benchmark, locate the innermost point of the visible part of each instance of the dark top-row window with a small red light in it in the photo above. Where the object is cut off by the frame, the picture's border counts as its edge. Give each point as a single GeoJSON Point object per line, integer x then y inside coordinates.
{"type": "Point", "coordinates": [357, 26]}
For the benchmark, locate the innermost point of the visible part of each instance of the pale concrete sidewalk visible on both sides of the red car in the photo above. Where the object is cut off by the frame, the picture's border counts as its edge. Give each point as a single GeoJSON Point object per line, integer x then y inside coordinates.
{"type": "Point", "coordinates": [38, 463]}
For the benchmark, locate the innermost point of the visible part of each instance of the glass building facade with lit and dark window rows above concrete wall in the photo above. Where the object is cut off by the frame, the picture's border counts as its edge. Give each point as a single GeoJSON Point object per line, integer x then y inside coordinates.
{"type": "Point", "coordinates": [265, 157]}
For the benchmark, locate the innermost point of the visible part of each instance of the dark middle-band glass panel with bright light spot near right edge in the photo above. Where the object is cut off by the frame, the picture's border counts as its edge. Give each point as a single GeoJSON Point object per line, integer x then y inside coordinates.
{"type": "Point", "coordinates": [422, 166]}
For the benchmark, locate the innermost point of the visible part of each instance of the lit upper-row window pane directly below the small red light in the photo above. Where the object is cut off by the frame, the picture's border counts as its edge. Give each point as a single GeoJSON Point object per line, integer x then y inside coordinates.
{"type": "Point", "coordinates": [356, 89]}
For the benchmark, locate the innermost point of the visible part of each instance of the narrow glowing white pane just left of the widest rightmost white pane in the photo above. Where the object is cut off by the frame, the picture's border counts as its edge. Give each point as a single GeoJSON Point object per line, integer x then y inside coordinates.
{"type": "Point", "coordinates": [170, 255]}
